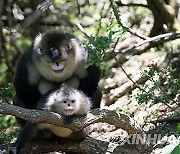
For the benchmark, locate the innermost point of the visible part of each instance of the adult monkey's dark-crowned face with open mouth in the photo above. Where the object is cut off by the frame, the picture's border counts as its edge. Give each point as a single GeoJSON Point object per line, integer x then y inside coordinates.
{"type": "Point", "coordinates": [55, 51]}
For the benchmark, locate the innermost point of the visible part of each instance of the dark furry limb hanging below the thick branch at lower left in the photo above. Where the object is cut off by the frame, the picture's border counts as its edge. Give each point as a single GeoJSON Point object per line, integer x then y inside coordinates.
{"type": "Point", "coordinates": [26, 134]}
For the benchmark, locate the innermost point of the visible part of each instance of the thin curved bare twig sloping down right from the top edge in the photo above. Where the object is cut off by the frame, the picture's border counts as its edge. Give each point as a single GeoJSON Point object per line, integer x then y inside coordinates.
{"type": "Point", "coordinates": [121, 24]}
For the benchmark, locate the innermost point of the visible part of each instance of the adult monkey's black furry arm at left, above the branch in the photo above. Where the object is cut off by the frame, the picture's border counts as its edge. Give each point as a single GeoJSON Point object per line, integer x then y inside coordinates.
{"type": "Point", "coordinates": [27, 95]}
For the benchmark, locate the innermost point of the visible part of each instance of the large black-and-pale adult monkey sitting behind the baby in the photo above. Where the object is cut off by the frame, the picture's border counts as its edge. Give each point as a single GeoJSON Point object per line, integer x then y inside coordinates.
{"type": "Point", "coordinates": [54, 58]}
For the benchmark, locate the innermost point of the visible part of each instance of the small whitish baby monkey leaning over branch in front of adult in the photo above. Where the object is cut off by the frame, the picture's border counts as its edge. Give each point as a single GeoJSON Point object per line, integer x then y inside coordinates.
{"type": "Point", "coordinates": [66, 101]}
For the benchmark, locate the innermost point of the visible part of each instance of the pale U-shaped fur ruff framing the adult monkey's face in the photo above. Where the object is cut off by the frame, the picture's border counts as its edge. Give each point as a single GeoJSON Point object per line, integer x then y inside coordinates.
{"type": "Point", "coordinates": [71, 64]}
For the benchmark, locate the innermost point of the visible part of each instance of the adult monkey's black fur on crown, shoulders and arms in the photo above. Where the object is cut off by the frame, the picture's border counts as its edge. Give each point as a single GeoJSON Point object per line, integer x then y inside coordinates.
{"type": "Point", "coordinates": [27, 94]}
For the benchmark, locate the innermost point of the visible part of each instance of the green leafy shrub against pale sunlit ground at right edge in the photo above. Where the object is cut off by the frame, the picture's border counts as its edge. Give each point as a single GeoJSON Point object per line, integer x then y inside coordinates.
{"type": "Point", "coordinates": [163, 85]}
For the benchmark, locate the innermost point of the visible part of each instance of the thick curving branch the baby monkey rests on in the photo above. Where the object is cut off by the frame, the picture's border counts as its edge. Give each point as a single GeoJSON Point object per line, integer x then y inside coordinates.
{"type": "Point", "coordinates": [95, 116]}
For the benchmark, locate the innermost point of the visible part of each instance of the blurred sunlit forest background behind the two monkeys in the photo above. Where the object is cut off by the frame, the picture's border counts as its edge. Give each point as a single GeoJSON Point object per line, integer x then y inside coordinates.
{"type": "Point", "coordinates": [136, 45]}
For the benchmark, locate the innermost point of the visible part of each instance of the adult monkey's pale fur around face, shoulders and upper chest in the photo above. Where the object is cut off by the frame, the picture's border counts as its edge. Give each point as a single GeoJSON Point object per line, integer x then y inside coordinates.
{"type": "Point", "coordinates": [73, 67]}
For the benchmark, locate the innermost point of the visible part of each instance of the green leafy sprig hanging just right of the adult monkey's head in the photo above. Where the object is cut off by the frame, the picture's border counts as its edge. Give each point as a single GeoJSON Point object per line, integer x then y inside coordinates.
{"type": "Point", "coordinates": [101, 47]}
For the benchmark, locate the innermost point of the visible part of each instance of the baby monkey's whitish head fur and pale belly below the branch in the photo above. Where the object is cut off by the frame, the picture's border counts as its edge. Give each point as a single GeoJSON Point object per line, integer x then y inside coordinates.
{"type": "Point", "coordinates": [81, 105]}
